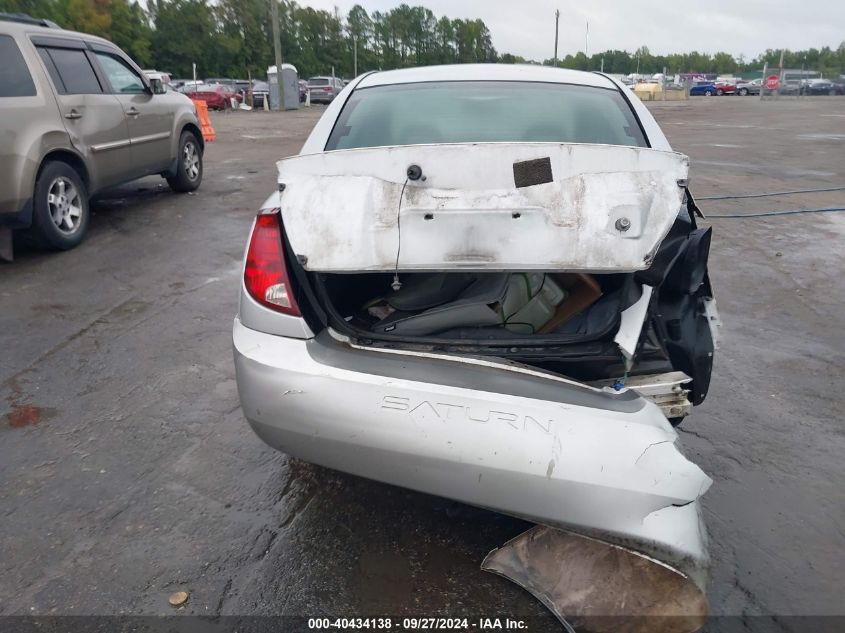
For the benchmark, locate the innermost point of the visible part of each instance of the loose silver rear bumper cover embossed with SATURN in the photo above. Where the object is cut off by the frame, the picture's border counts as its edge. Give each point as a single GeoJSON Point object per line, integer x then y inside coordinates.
{"type": "Point", "coordinates": [492, 435]}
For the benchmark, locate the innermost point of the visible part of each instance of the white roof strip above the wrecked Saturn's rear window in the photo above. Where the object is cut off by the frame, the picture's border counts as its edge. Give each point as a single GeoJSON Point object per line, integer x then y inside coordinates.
{"type": "Point", "coordinates": [486, 72]}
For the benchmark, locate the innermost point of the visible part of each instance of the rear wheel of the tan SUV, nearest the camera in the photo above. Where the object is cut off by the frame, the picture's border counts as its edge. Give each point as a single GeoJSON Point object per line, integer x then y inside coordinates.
{"type": "Point", "coordinates": [60, 206]}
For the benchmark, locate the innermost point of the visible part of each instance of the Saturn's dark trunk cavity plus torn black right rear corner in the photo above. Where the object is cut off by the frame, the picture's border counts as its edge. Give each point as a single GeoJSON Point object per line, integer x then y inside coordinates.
{"type": "Point", "coordinates": [565, 322]}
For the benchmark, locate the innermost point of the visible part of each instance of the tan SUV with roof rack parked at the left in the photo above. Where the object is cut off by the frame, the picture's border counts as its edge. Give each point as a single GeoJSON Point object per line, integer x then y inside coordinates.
{"type": "Point", "coordinates": [77, 115]}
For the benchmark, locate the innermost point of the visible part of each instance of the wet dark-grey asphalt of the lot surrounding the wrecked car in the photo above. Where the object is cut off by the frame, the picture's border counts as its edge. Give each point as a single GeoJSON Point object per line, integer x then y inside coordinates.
{"type": "Point", "coordinates": [129, 473]}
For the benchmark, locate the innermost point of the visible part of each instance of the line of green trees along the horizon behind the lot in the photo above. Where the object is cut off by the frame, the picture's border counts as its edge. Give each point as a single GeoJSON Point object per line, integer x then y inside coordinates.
{"type": "Point", "coordinates": [233, 38]}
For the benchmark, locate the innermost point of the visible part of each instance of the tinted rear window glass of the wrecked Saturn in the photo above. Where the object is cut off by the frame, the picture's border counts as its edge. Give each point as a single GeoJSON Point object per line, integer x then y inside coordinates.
{"type": "Point", "coordinates": [484, 111]}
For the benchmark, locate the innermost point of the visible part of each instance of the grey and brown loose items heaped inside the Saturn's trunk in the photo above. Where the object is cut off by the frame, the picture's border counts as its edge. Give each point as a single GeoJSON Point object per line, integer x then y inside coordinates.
{"type": "Point", "coordinates": [482, 308]}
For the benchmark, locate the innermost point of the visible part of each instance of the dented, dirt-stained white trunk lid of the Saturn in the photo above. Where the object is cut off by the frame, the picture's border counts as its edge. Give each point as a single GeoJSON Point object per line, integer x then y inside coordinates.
{"type": "Point", "coordinates": [341, 209]}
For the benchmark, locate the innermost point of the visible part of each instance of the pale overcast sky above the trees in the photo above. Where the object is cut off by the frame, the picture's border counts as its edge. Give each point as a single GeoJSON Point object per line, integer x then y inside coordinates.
{"type": "Point", "coordinates": [740, 27]}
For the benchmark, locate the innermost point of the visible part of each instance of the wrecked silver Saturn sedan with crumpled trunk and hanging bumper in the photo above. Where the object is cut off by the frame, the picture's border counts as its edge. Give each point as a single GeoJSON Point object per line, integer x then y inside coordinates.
{"type": "Point", "coordinates": [473, 355]}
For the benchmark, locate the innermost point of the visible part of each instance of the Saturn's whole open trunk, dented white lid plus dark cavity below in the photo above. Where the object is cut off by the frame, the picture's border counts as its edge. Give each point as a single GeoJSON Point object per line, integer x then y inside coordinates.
{"type": "Point", "coordinates": [584, 260]}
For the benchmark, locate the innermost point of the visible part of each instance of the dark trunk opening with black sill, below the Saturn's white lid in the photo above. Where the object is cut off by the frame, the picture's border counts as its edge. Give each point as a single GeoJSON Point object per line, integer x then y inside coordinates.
{"type": "Point", "coordinates": [559, 322]}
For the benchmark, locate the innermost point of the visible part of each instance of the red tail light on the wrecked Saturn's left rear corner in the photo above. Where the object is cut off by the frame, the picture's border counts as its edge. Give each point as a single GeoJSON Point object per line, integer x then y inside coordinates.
{"type": "Point", "coordinates": [265, 275]}
